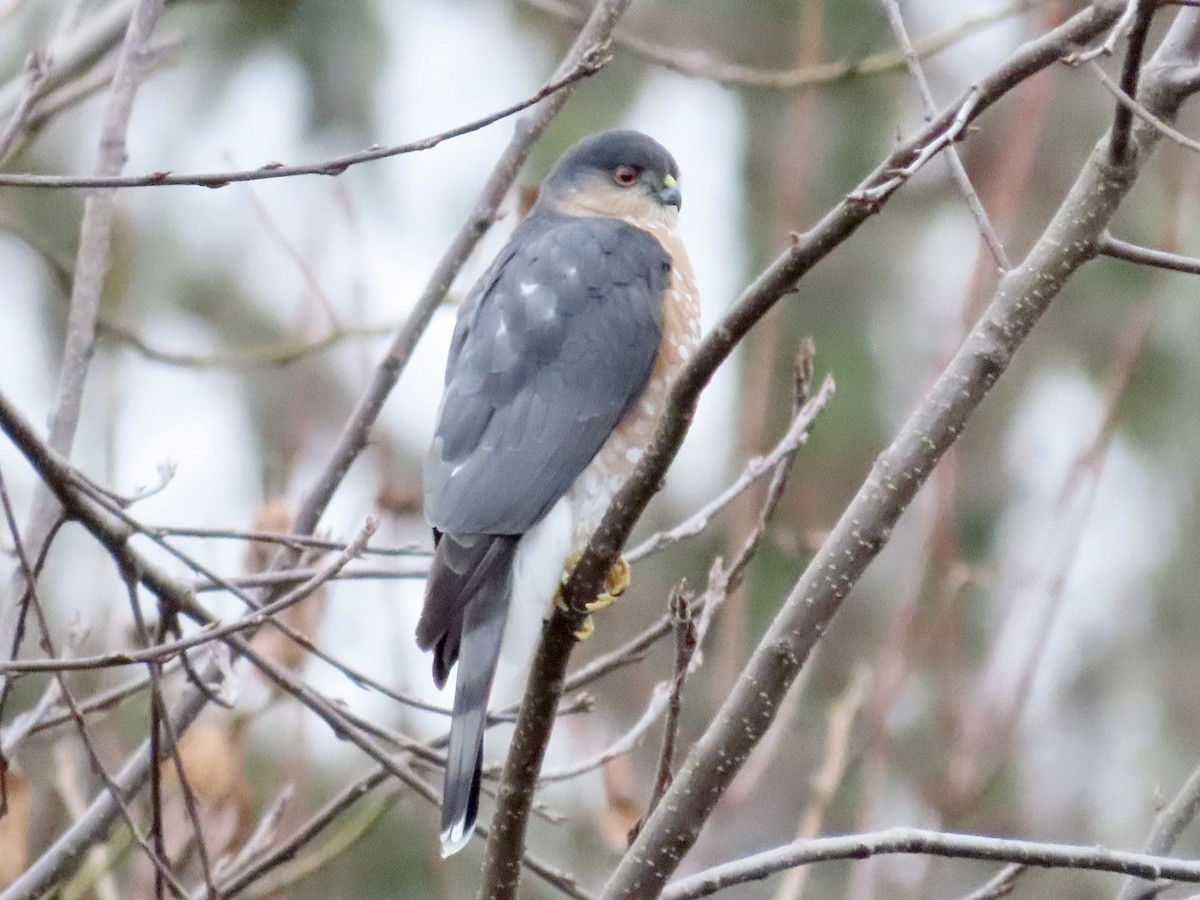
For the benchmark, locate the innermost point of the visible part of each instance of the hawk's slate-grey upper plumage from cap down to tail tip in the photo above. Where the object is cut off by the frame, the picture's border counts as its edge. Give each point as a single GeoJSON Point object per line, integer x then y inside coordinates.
{"type": "Point", "coordinates": [553, 346]}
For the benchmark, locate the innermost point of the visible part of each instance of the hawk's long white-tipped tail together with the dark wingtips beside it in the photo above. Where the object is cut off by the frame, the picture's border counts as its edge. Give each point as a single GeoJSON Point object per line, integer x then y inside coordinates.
{"type": "Point", "coordinates": [466, 607]}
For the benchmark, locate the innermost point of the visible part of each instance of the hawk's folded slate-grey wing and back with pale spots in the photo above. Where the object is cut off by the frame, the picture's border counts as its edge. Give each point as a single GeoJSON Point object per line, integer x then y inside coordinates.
{"type": "Point", "coordinates": [550, 351]}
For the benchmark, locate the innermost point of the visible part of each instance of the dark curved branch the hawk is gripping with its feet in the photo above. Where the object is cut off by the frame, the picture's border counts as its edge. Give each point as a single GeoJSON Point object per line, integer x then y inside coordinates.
{"type": "Point", "coordinates": [549, 668]}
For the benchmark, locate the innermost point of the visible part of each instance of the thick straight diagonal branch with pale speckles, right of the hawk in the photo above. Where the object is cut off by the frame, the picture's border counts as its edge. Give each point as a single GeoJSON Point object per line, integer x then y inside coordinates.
{"type": "Point", "coordinates": [1023, 296]}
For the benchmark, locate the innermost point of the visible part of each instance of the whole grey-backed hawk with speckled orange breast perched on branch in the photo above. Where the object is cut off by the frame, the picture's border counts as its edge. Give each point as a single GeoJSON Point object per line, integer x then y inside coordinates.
{"type": "Point", "coordinates": [560, 368]}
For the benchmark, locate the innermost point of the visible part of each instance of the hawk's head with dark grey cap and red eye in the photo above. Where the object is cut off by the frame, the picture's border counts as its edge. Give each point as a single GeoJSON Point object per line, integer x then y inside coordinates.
{"type": "Point", "coordinates": [617, 173]}
